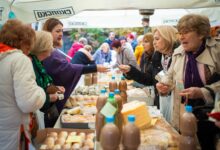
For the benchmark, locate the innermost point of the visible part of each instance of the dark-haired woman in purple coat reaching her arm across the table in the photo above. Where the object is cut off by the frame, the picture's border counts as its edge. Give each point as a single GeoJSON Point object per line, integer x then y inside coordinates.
{"type": "Point", "coordinates": [64, 73]}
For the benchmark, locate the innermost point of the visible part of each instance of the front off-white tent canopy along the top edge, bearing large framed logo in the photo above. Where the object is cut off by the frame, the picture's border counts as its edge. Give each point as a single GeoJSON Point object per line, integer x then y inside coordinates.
{"type": "Point", "coordinates": [36, 10]}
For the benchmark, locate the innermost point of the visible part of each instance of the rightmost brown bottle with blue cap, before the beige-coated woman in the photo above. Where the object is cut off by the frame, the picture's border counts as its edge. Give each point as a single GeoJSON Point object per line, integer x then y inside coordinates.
{"type": "Point", "coordinates": [188, 129]}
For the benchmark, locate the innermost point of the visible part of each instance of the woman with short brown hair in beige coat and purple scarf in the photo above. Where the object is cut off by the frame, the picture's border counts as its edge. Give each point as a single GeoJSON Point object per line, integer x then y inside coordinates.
{"type": "Point", "coordinates": [194, 73]}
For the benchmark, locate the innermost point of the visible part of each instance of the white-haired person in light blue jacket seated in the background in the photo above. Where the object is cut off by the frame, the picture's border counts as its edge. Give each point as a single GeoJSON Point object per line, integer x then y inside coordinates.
{"type": "Point", "coordinates": [103, 54]}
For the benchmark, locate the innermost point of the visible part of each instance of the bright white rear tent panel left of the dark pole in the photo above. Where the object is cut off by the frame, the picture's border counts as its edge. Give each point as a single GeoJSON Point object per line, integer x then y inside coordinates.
{"type": "Point", "coordinates": [104, 19]}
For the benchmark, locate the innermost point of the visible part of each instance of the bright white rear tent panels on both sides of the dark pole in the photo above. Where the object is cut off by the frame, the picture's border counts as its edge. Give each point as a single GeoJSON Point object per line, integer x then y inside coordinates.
{"type": "Point", "coordinates": [132, 18]}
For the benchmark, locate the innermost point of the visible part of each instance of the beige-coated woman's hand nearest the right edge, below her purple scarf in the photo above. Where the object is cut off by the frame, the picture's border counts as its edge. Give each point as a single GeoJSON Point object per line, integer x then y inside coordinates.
{"type": "Point", "coordinates": [192, 93]}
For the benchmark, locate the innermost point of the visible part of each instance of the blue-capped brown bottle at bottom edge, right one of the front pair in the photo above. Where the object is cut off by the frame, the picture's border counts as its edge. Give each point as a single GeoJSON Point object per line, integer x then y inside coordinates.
{"type": "Point", "coordinates": [131, 135]}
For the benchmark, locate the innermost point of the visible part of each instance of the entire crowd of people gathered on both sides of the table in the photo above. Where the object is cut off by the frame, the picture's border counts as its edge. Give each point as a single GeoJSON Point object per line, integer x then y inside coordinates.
{"type": "Point", "coordinates": [182, 63]}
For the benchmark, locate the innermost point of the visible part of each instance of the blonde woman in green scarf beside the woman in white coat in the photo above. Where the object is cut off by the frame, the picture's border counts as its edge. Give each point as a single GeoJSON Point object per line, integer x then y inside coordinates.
{"type": "Point", "coordinates": [41, 50]}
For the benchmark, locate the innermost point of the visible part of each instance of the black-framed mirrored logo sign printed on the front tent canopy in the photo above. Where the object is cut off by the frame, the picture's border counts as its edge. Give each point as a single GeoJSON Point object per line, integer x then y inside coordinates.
{"type": "Point", "coordinates": [45, 14]}
